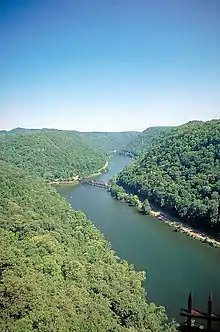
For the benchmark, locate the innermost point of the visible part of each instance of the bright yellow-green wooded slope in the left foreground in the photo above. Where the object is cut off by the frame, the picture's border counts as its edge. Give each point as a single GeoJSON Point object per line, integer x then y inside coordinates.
{"type": "Point", "coordinates": [58, 273]}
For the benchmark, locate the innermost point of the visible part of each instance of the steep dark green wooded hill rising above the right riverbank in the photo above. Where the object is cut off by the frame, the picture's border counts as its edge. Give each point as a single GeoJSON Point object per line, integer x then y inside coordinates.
{"type": "Point", "coordinates": [182, 173]}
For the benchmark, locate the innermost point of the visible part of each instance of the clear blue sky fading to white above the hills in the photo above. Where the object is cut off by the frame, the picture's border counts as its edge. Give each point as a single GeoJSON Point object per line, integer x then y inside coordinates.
{"type": "Point", "coordinates": [108, 65]}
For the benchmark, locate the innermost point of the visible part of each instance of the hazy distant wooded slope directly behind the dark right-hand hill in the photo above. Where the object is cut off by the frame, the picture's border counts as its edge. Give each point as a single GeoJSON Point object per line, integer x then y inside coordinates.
{"type": "Point", "coordinates": [146, 139]}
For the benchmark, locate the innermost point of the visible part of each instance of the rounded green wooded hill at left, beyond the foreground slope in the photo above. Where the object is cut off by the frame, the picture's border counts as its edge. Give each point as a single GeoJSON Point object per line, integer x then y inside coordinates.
{"type": "Point", "coordinates": [51, 155]}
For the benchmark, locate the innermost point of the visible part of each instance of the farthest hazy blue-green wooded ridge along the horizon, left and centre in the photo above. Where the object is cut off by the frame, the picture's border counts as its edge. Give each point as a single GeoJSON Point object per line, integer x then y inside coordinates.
{"type": "Point", "coordinates": [104, 141]}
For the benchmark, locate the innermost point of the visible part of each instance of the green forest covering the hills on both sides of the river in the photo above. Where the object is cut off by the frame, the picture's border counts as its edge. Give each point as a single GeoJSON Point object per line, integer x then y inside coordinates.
{"type": "Point", "coordinates": [57, 271]}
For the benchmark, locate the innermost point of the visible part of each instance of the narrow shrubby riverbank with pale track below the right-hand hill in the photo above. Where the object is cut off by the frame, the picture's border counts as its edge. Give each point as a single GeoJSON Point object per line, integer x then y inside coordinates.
{"type": "Point", "coordinates": [177, 225]}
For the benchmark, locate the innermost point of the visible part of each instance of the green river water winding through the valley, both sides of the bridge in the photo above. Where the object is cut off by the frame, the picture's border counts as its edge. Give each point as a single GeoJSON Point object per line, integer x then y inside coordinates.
{"type": "Point", "coordinates": [174, 263]}
